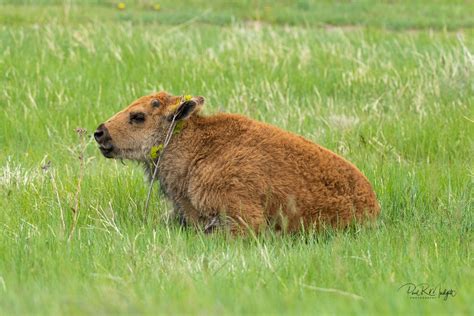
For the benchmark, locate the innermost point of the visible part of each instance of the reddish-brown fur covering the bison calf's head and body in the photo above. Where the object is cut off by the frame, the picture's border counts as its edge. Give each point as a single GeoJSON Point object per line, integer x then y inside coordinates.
{"type": "Point", "coordinates": [229, 170]}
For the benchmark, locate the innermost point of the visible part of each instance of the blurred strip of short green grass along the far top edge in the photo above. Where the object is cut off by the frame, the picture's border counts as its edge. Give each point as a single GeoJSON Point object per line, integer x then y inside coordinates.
{"type": "Point", "coordinates": [438, 14]}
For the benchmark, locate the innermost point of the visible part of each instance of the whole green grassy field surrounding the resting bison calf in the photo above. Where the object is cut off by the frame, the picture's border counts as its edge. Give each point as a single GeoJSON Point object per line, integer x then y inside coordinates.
{"type": "Point", "coordinates": [389, 85]}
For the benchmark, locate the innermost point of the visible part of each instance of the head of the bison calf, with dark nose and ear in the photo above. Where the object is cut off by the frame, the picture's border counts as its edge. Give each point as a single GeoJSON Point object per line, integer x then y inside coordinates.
{"type": "Point", "coordinates": [132, 132]}
